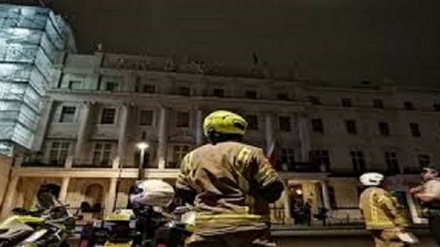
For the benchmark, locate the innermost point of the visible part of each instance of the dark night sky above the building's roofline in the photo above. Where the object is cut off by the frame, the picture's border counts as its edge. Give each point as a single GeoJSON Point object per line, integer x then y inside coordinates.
{"type": "Point", "coordinates": [332, 40]}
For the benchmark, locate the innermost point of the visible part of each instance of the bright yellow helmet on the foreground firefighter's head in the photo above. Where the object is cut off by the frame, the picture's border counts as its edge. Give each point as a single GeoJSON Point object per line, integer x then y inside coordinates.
{"type": "Point", "coordinates": [224, 122]}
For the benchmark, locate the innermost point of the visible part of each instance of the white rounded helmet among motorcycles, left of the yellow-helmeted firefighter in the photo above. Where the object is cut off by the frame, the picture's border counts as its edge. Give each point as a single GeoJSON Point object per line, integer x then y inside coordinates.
{"type": "Point", "coordinates": [152, 192]}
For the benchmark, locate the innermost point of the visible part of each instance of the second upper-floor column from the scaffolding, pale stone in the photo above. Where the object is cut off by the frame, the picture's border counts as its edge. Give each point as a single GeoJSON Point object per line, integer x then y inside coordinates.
{"type": "Point", "coordinates": [82, 137]}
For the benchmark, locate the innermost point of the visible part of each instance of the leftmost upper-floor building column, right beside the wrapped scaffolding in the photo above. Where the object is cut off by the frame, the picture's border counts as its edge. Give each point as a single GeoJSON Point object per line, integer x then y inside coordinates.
{"type": "Point", "coordinates": [43, 124]}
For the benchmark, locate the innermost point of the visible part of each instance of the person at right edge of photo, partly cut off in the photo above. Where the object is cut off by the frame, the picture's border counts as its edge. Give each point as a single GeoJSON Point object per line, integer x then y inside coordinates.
{"type": "Point", "coordinates": [429, 195]}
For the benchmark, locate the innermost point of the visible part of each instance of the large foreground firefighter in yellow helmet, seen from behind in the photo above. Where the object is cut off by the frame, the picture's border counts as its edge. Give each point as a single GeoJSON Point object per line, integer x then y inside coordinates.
{"type": "Point", "coordinates": [231, 185]}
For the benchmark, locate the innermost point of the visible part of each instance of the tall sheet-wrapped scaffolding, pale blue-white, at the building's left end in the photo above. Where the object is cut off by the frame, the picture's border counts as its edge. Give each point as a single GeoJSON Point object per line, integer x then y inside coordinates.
{"type": "Point", "coordinates": [31, 40]}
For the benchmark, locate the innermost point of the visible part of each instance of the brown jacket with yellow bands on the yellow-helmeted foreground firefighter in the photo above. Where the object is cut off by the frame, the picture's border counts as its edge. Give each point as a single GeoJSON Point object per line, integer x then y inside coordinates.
{"type": "Point", "coordinates": [231, 185]}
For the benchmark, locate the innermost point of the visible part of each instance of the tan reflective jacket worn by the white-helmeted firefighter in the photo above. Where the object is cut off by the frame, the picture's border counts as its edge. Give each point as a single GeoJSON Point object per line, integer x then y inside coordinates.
{"type": "Point", "coordinates": [381, 210]}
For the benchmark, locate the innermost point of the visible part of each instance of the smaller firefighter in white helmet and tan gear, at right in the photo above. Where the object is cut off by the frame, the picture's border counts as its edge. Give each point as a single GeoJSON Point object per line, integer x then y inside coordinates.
{"type": "Point", "coordinates": [382, 214]}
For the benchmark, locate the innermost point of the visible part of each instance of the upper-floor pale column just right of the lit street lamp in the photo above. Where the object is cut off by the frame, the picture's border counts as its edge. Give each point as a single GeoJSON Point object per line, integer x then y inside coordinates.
{"type": "Point", "coordinates": [163, 136]}
